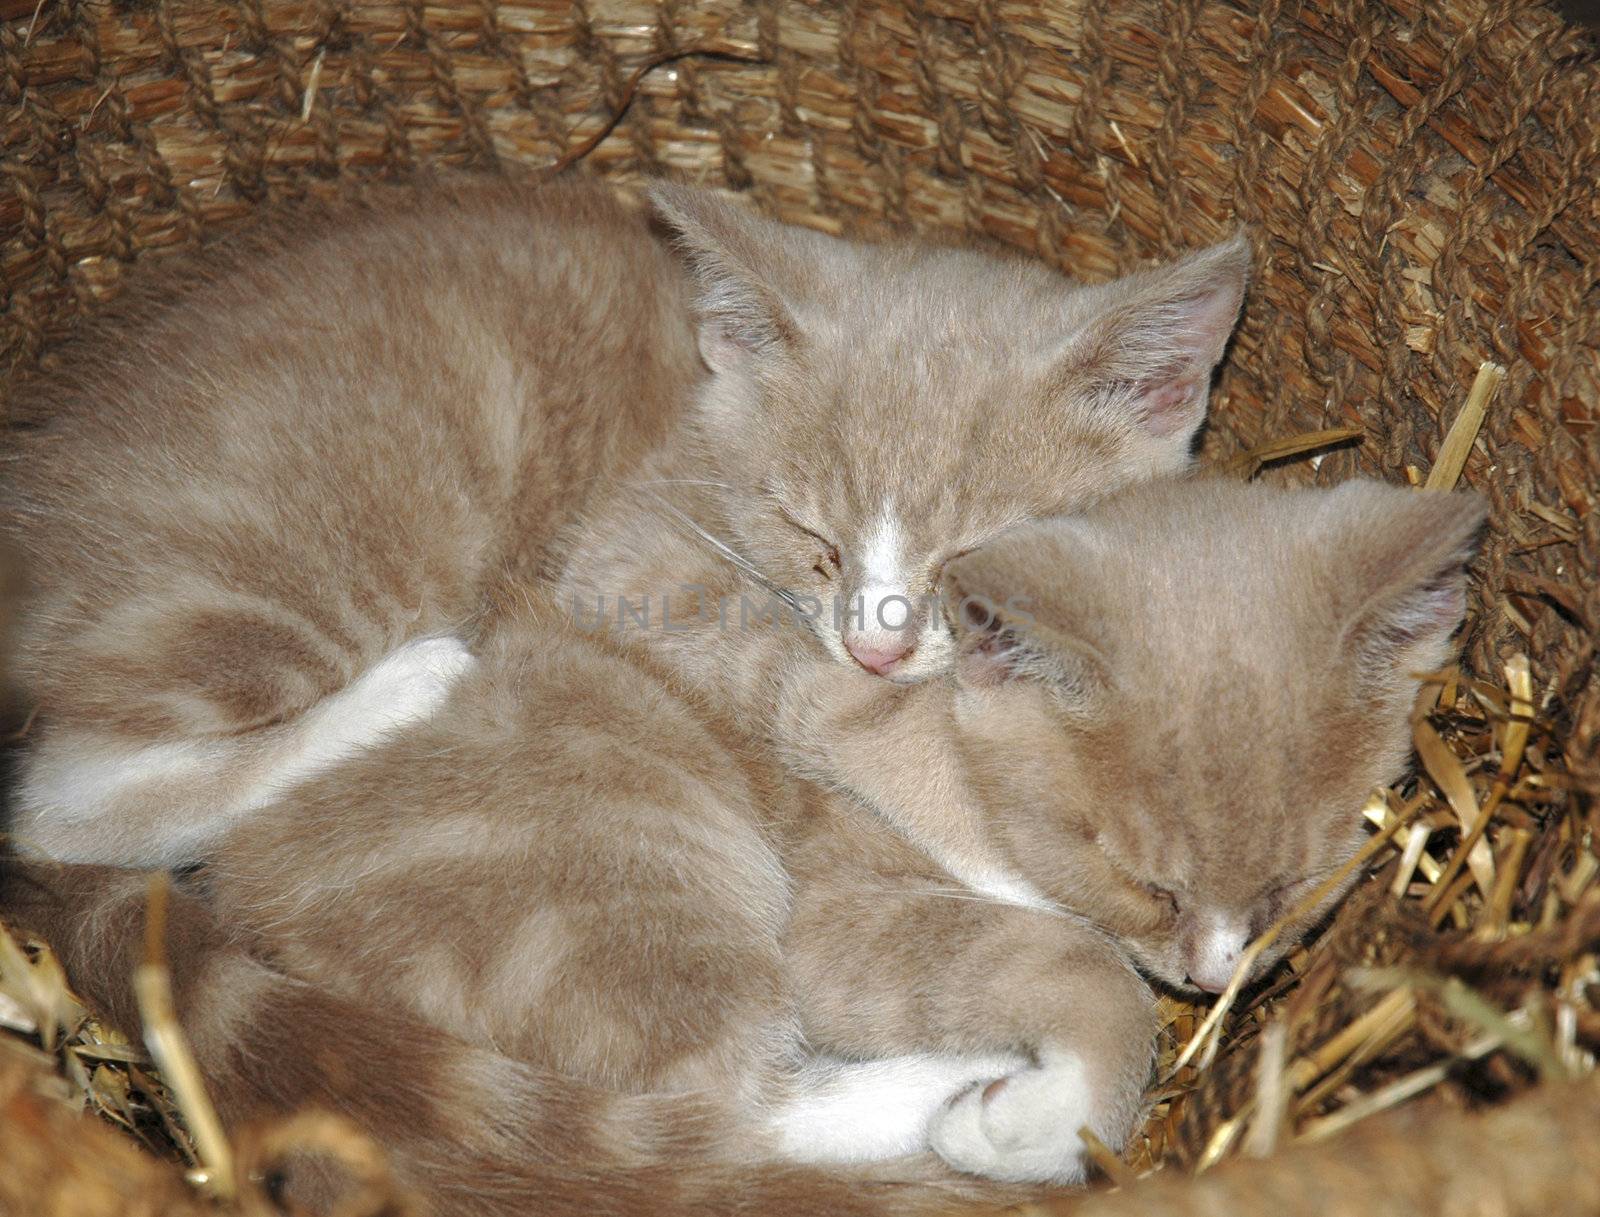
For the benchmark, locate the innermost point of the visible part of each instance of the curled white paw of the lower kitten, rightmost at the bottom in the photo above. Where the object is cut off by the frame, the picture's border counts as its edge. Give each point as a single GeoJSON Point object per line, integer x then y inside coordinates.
{"type": "Point", "coordinates": [1023, 1128]}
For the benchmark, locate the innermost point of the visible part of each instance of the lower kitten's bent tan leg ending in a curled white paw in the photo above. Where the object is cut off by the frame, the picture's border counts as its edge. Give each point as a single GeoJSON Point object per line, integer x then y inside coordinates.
{"type": "Point", "coordinates": [892, 957]}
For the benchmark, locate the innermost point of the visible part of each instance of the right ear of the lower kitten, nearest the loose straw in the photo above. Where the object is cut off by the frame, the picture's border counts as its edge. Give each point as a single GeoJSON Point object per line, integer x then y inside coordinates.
{"type": "Point", "coordinates": [1404, 583]}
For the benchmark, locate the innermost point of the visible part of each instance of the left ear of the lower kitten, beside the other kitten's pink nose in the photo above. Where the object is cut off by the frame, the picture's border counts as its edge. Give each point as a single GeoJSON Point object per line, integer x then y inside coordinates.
{"type": "Point", "coordinates": [1009, 605]}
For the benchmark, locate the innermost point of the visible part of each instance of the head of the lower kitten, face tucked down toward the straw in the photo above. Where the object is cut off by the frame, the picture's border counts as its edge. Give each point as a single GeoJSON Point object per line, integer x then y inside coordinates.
{"type": "Point", "coordinates": [1183, 700]}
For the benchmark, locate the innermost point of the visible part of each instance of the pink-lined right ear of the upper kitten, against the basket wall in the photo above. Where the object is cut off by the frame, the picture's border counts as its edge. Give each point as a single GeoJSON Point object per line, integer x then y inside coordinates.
{"type": "Point", "coordinates": [1154, 341]}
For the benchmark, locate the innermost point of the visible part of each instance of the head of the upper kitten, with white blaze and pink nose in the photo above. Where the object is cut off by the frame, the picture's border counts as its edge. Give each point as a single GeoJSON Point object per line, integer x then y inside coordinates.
{"type": "Point", "coordinates": [874, 412]}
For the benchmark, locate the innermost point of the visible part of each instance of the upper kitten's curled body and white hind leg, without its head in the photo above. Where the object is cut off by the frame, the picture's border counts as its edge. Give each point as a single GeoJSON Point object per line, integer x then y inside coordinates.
{"type": "Point", "coordinates": [270, 492]}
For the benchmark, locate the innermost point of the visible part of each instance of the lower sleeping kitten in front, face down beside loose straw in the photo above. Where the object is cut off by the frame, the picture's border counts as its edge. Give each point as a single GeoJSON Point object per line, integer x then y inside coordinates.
{"type": "Point", "coordinates": [578, 869]}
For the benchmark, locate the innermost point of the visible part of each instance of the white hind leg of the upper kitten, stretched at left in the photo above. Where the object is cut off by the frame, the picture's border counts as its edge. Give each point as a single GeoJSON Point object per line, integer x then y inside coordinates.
{"type": "Point", "coordinates": [94, 797]}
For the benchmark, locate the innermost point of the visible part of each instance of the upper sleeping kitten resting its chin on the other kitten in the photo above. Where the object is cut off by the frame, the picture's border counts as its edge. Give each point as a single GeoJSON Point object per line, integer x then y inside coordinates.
{"type": "Point", "coordinates": [266, 516]}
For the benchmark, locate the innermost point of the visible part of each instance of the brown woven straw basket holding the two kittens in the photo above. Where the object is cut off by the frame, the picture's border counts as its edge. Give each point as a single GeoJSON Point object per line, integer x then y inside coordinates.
{"type": "Point", "coordinates": [1420, 182]}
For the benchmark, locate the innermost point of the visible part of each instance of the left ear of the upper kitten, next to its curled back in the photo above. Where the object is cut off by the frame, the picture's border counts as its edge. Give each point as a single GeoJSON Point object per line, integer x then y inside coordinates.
{"type": "Point", "coordinates": [738, 261]}
